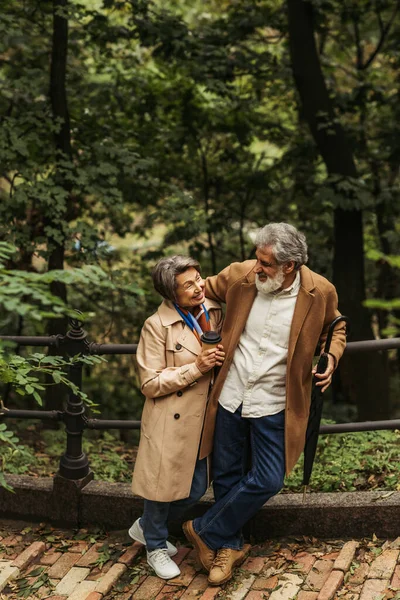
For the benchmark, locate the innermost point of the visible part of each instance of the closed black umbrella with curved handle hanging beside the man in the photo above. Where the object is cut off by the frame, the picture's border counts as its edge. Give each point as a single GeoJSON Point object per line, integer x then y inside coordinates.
{"type": "Point", "coordinates": [314, 418]}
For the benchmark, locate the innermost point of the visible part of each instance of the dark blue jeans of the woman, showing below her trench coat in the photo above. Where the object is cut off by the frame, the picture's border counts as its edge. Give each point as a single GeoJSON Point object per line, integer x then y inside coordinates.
{"type": "Point", "coordinates": [156, 515]}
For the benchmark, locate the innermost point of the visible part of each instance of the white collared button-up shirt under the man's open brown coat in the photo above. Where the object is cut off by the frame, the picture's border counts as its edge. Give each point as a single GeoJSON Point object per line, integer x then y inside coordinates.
{"type": "Point", "coordinates": [257, 375]}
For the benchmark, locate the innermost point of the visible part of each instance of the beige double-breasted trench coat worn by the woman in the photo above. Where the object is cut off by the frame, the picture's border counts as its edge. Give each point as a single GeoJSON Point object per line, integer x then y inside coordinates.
{"type": "Point", "coordinates": [176, 399]}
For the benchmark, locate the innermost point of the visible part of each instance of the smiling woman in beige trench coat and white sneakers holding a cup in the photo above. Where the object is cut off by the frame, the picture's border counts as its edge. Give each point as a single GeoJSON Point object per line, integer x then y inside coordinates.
{"type": "Point", "coordinates": [176, 375]}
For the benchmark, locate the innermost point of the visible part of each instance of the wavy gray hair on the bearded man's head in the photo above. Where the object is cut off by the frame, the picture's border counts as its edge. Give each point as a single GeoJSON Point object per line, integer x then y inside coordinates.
{"type": "Point", "coordinates": [286, 242]}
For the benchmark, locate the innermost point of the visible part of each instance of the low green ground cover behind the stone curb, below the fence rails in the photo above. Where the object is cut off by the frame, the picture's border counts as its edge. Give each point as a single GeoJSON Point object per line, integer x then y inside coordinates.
{"type": "Point", "coordinates": [344, 462]}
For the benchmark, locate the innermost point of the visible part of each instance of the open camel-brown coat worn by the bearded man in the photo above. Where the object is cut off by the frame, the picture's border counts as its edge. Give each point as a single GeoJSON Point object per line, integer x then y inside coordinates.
{"type": "Point", "coordinates": [315, 309]}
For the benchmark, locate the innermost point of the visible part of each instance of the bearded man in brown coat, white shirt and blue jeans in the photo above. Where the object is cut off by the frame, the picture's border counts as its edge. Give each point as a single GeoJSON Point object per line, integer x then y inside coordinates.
{"type": "Point", "coordinates": [277, 311]}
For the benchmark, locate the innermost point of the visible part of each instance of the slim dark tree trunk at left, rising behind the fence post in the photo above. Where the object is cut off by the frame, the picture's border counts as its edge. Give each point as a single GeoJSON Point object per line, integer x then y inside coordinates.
{"type": "Point", "coordinates": [58, 97]}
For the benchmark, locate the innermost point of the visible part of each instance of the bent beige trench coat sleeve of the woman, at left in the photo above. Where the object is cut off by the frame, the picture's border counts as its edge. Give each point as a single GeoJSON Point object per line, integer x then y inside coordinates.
{"type": "Point", "coordinates": [156, 379]}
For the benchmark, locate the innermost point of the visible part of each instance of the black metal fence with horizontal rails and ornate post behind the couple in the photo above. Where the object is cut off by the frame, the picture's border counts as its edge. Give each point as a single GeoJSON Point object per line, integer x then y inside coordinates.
{"type": "Point", "coordinates": [74, 464]}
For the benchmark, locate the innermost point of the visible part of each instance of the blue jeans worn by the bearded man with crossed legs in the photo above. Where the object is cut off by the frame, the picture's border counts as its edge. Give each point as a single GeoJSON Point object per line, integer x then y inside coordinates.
{"type": "Point", "coordinates": [239, 495]}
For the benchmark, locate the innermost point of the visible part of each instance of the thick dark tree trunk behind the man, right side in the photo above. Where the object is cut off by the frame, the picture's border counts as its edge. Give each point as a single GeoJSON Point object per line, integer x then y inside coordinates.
{"type": "Point", "coordinates": [364, 375]}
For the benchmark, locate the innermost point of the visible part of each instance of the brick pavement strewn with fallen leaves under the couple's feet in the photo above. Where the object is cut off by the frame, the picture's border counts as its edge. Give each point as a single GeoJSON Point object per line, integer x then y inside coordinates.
{"type": "Point", "coordinates": [42, 562]}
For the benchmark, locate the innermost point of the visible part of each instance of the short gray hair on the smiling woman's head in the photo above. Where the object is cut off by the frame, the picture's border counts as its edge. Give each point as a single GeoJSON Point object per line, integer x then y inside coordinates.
{"type": "Point", "coordinates": [165, 272]}
